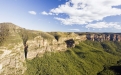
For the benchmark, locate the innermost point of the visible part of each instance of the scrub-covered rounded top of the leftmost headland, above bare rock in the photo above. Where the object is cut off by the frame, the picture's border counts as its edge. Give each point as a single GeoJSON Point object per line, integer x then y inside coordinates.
{"type": "Point", "coordinates": [8, 34]}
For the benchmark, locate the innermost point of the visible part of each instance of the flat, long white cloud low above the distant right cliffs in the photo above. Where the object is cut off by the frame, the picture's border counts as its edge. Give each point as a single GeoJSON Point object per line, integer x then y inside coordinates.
{"type": "Point", "coordinates": [100, 25]}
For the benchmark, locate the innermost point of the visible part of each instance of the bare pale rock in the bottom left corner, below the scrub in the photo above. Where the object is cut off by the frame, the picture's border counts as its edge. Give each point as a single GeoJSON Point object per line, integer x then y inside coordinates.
{"type": "Point", "coordinates": [12, 61]}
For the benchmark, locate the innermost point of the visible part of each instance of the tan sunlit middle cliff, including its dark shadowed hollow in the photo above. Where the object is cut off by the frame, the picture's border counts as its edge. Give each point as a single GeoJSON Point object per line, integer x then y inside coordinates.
{"type": "Point", "coordinates": [39, 45]}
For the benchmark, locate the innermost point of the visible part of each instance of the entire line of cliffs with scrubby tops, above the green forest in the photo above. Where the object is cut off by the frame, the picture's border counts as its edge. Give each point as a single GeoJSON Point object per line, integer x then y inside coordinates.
{"type": "Point", "coordinates": [17, 43]}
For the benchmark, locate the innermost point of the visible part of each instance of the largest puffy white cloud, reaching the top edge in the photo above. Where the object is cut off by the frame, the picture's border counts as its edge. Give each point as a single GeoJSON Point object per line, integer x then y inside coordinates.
{"type": "Point", "coordinates": [86, 11]}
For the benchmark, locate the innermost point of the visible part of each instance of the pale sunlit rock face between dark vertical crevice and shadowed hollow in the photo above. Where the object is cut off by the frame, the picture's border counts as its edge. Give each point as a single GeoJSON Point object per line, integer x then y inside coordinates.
{"type": "Point", "coordinates": [40, 45]}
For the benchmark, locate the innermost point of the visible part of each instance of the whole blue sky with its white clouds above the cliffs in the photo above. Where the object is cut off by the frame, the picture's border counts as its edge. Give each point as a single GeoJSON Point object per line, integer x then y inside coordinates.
{"type": "Point", "coordinates": [63, 15]}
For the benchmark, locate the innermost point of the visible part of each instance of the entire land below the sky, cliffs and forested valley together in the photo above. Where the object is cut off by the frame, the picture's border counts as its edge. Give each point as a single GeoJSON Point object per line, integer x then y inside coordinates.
{"type": "Point", "coordinates": [58, 53]}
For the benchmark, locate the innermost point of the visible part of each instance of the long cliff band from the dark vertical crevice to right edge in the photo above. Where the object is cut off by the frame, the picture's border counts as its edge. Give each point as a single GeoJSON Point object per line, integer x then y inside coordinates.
{"type": "Point", "coordinates": [40, 45]}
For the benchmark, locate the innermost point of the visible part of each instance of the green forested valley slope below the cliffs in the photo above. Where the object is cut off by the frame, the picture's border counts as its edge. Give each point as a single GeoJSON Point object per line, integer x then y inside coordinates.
{"type": "Point", "coordinates": [87, 58]}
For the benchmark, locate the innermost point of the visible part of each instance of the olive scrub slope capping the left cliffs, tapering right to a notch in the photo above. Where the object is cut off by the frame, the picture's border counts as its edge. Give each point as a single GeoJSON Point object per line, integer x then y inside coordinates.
{"type": "Point", "coordinates": [10, 33]}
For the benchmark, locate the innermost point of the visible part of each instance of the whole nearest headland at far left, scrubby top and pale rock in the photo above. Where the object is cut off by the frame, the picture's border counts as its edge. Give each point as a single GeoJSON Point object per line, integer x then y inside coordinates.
{"type": "Point", "coordinates": [11, 50]}
